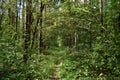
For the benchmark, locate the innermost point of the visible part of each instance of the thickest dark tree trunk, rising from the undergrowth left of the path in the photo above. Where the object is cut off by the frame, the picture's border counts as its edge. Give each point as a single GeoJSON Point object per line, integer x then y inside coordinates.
{"type": "Point", "coordinates": [28, 29]}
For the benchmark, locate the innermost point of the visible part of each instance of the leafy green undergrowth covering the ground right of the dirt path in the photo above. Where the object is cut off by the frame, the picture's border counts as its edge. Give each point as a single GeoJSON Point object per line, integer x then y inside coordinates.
{"type": "Point", "coordinates": [83, 65]}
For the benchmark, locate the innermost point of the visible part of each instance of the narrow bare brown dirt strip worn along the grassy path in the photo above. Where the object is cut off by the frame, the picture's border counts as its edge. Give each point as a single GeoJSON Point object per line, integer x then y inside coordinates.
{"type": "Point", "coordinates": [55, 76]}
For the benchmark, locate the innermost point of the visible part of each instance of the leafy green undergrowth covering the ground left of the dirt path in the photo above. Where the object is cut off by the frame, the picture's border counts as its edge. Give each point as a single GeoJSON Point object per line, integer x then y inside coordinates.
{"type": "Point", "coordinates": [38, 66]}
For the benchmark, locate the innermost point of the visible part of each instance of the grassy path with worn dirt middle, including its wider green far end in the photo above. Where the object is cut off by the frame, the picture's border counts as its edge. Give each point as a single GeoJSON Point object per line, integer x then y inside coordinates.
{"type": "Point", "coordinates": [57, 54]}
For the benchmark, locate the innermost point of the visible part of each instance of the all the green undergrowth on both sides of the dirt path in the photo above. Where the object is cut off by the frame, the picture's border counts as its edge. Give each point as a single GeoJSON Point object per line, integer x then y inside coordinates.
{"type": "Point", "coordinates": [74, 64]}
